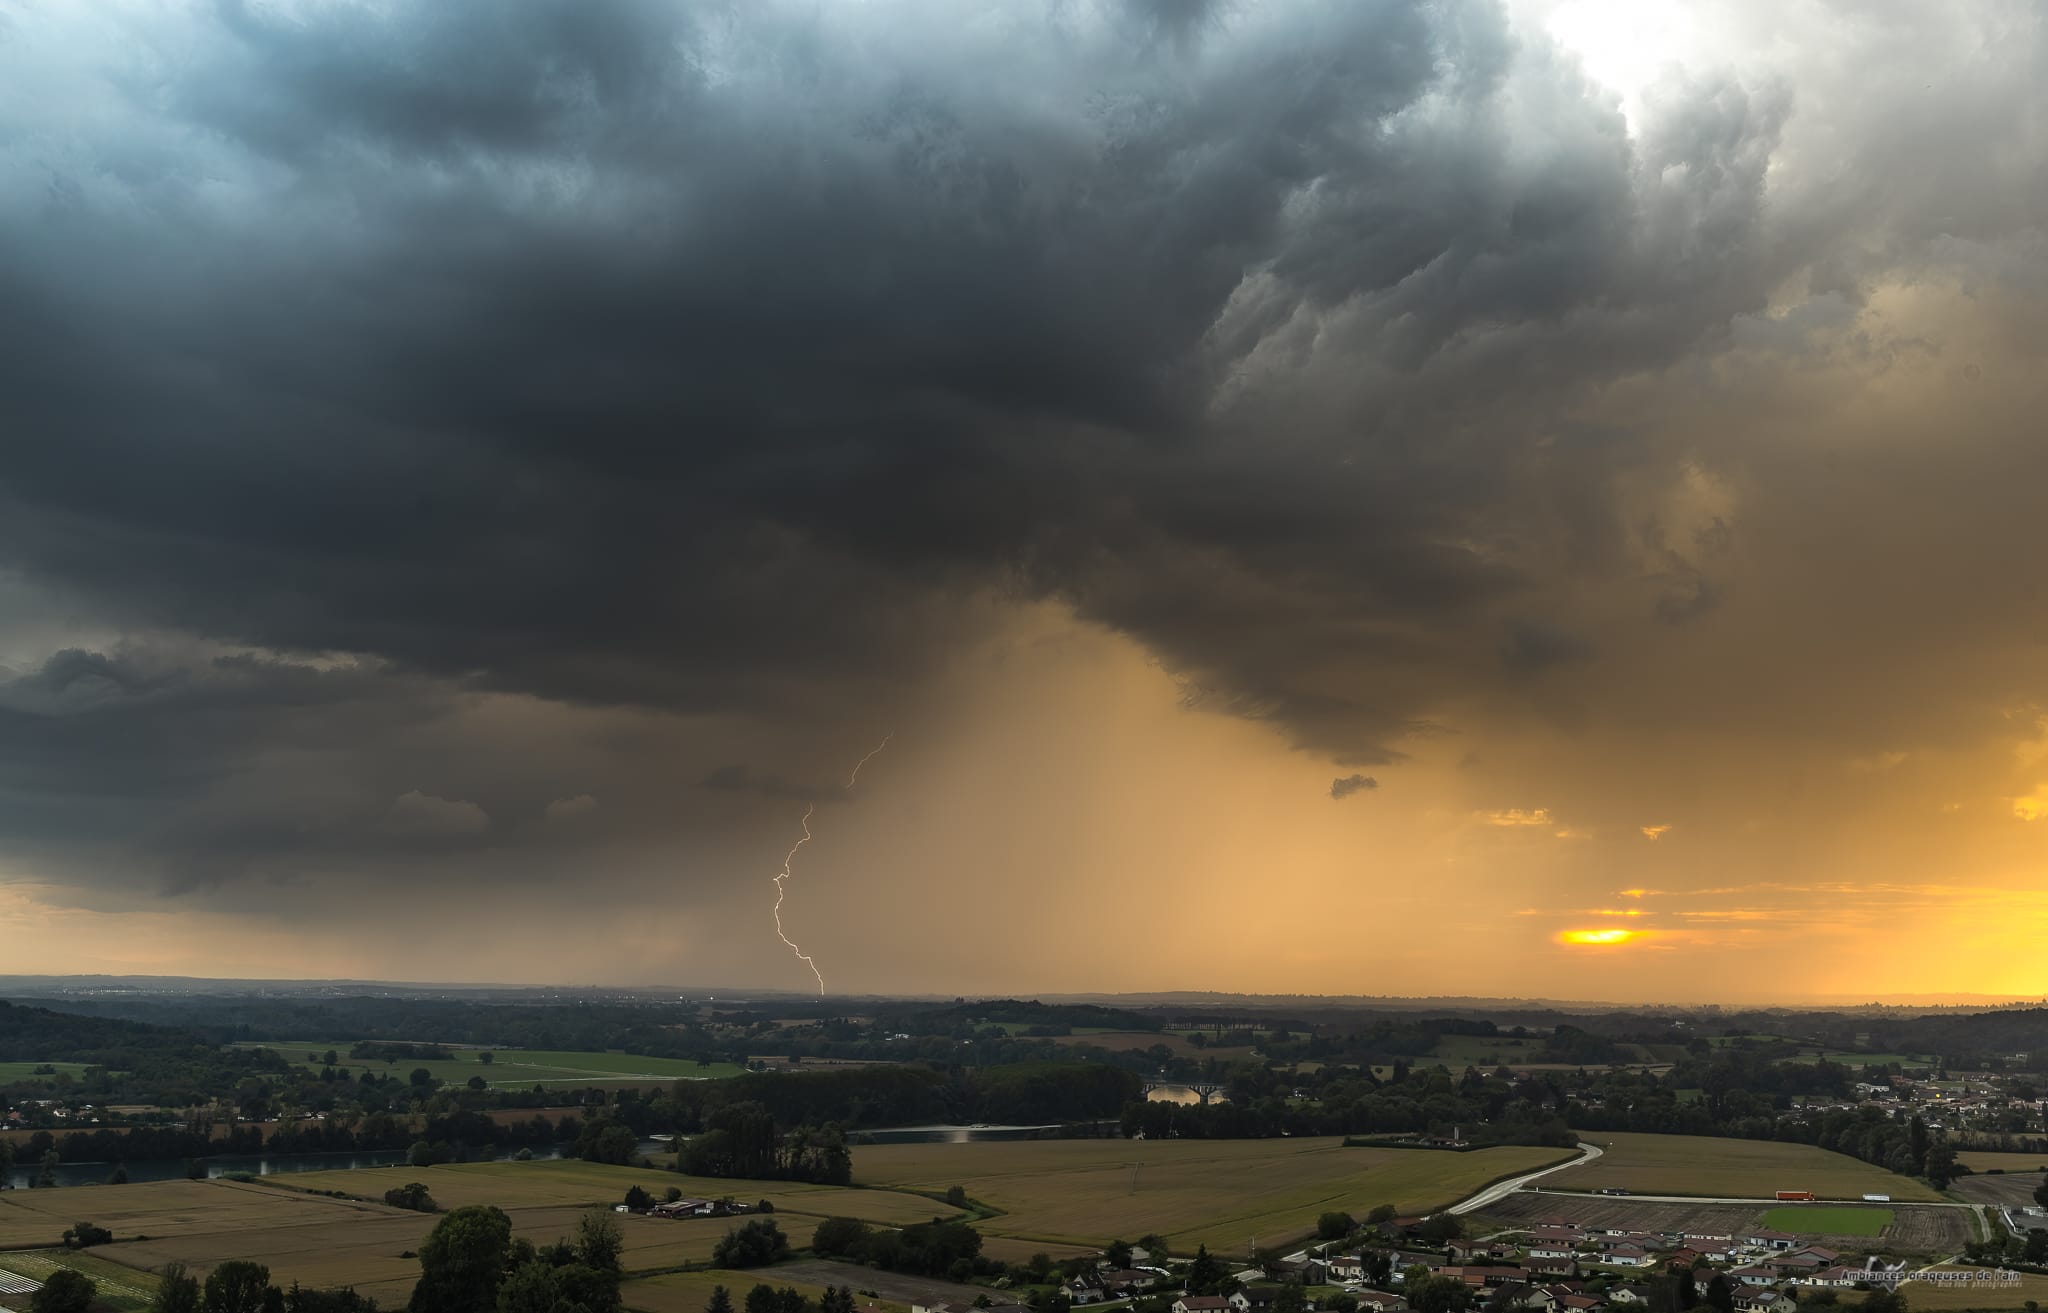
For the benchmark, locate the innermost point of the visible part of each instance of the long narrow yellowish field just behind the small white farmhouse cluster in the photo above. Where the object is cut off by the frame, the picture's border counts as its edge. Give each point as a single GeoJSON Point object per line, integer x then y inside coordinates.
{"type": "Point", "coordinates": [513, 1185]}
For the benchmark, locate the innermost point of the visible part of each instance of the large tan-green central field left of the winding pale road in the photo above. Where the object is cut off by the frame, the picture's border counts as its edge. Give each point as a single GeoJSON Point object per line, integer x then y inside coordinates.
{"type": "Point", "coordinates": [1218, 1193]}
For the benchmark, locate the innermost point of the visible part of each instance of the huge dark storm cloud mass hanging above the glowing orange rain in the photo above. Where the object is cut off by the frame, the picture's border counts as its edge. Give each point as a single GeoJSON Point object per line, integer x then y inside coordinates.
{"type": "Point", "coordinates": [740, 366]}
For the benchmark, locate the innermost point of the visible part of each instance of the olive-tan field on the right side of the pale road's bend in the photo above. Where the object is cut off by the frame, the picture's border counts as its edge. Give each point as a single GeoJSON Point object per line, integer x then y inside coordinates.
{"type": "Point", "coordinates": [1732, 1169]}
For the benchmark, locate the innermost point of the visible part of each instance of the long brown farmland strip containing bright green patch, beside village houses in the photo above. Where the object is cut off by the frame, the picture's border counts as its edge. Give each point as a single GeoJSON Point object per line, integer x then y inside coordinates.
{"type": "Point", "coordinates": [1932, 1232]}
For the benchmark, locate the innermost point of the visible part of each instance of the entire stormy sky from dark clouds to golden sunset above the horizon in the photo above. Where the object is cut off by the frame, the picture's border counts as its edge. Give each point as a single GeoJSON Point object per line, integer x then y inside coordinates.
{"type": "Point", "coordinates": [474, 476]}
